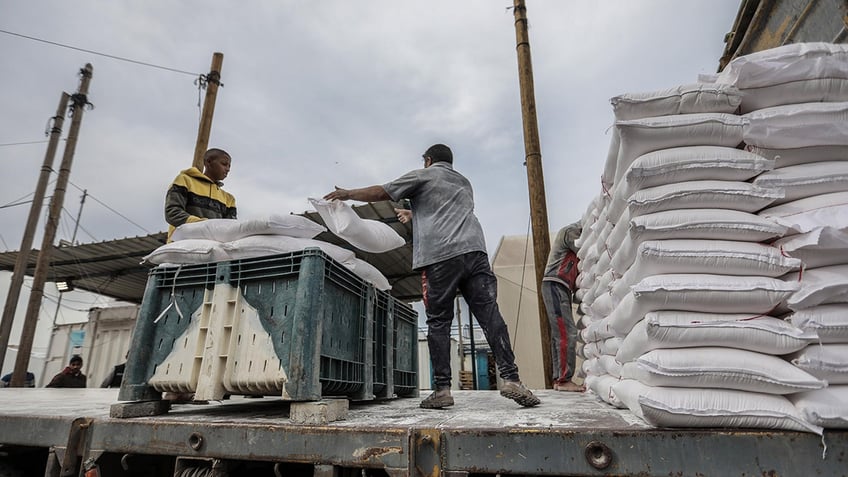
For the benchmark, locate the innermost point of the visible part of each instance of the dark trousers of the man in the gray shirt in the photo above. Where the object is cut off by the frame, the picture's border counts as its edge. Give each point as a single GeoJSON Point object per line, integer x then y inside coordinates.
{"type": "Point", "coordinates": [471, 274]}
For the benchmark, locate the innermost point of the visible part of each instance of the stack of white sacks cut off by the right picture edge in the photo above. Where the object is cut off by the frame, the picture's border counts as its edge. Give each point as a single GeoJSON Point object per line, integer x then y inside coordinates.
{"type": "Point", "coordinates": [795, 99]}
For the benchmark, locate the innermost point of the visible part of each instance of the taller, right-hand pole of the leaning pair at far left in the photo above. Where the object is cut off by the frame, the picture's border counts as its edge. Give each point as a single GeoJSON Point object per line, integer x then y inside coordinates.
{"type": "Point", "coordinates": [79, 102]}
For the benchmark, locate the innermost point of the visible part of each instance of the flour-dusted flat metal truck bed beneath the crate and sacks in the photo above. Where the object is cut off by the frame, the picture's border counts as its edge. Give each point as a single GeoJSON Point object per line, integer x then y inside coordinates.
{"type": "Point", "coordinates": [568, 434]}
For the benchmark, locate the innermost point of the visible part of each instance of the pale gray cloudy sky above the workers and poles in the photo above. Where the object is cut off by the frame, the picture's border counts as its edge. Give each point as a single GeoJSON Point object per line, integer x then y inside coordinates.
{"type": "Point", "coordinates": [330, 92]}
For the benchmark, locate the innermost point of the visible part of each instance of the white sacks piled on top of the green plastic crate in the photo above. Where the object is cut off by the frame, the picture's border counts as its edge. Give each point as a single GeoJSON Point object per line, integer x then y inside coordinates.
{"type": "Point", "coordinates": [225, 239]}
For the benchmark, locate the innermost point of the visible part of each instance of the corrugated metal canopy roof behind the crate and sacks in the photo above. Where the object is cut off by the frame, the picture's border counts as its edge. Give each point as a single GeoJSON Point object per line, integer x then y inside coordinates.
{"type": "Point", "coordinates": [112, 268]}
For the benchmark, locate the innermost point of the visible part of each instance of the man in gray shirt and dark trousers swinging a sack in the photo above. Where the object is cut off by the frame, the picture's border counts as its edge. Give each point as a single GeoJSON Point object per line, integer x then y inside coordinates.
{"type": "Point", "coordinates": [449, 248]}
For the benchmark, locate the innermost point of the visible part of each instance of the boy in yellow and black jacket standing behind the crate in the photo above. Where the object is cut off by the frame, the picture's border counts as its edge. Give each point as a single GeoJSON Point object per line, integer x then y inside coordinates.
{"type": "Point", "coordinates": [196, 196]}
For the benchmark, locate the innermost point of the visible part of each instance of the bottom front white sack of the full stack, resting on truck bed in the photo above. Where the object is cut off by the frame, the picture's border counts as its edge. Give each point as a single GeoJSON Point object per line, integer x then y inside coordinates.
{"type": "Point", "coordinates": [682, 407]}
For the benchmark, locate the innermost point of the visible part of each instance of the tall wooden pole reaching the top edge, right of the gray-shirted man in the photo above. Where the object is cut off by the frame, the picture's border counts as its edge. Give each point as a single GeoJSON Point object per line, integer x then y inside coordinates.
{"type": "Point", "coordinates": [535, 178]}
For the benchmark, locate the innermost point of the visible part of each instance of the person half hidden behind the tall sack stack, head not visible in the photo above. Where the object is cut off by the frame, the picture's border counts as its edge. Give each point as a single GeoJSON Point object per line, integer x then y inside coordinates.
{"type": "Point", "coordinates": [558, 287]}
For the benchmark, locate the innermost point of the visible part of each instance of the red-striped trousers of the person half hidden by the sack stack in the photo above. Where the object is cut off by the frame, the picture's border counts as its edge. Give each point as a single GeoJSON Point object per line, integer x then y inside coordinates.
{"type": "Point", "coordinates": [557, 298]}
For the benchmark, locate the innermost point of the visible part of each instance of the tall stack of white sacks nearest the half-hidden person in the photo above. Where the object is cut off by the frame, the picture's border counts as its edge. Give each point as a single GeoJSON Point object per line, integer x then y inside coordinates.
{"type": "Point", "coordinates": [678, 283]}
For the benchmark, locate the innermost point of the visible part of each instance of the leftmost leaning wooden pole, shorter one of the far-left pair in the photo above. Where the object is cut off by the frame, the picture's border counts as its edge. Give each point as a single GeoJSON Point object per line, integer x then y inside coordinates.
{"type": "Point", "coordinates": [29, 232]}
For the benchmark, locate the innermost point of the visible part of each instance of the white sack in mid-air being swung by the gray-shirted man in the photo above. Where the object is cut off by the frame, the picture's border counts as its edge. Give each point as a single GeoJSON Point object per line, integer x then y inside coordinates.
{"type": "Point", "coordinates": [368, 235]}
